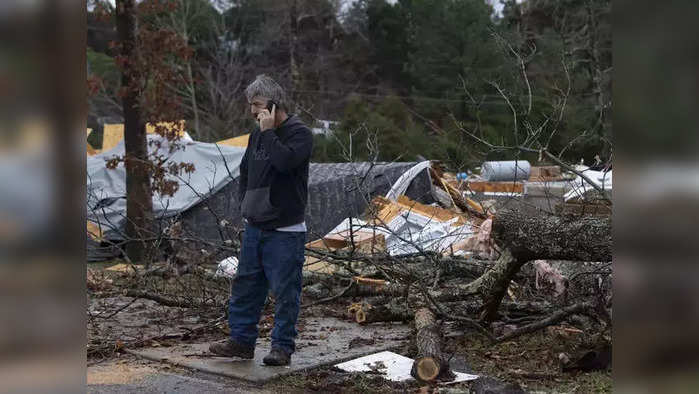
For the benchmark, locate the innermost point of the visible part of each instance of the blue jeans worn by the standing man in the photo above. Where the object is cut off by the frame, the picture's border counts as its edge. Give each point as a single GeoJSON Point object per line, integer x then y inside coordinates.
{"type": "Point", "coordinates": [268, 259]}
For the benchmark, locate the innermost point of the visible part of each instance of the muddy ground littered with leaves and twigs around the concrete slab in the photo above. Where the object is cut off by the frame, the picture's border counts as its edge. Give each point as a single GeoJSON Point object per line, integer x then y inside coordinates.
{"type": "Point", "coordinates": [116, 322]}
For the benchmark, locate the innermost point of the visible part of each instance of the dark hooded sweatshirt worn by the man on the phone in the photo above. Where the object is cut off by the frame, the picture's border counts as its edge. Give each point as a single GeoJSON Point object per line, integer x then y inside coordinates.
{"type": "Point", "coordinates": [274, 175]}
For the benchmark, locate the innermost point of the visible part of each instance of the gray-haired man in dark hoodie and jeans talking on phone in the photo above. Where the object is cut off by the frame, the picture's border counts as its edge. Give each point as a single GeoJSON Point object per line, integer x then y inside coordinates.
{"type": "Point", "coordinates": [273, 190]}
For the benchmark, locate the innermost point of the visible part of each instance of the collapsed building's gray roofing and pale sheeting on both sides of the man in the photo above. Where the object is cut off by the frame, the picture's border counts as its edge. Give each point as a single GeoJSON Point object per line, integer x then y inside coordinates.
{"type": "Point", "coordinates": [206, 202]}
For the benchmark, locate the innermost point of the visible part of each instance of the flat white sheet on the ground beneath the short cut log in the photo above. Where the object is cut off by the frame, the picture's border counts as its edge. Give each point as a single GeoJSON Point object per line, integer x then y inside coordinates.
{"type": "Point", "coordinates": [396, 367]}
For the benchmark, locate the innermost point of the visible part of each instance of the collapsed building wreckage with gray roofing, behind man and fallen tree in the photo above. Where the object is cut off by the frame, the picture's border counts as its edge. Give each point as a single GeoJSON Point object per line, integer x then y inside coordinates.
{"type": "Point", "coordinates": [398, 207]}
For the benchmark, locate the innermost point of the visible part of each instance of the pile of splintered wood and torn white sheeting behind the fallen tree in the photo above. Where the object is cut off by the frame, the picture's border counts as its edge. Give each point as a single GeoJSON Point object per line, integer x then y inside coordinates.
{"type": "Point", "coordinates": [456, 225]}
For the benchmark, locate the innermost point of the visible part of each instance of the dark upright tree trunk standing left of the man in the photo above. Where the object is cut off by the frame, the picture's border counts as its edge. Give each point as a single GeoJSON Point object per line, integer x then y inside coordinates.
{"type": "Point", "coordinates": [139, 205]}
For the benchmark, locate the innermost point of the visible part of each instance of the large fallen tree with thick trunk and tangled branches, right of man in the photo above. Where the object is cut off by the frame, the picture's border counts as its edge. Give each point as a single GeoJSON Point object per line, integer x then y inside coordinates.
{"type": "Point", "coordinates": [415, 279]}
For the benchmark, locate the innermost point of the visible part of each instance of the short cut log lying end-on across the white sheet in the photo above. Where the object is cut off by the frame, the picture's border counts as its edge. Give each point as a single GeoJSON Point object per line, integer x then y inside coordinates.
{"type": "Point", "coordinates": [430, 363]}
